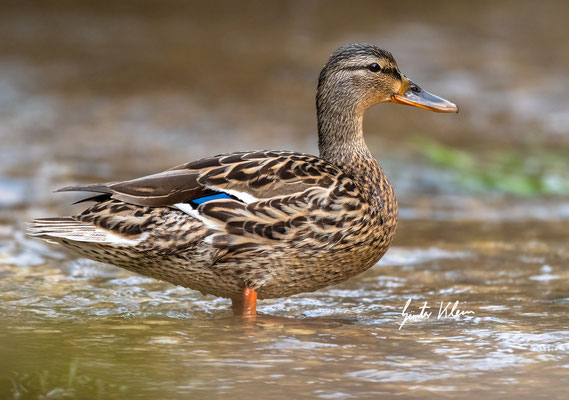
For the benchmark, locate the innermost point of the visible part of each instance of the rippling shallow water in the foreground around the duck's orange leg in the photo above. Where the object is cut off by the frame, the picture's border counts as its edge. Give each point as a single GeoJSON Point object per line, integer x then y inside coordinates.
{"type": "Point", "coordinates": [128, 334]}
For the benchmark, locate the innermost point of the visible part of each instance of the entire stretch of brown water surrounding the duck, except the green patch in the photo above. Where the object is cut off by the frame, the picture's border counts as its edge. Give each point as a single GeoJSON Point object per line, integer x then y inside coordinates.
{"type": "Point", "coordinates": [102, 92]}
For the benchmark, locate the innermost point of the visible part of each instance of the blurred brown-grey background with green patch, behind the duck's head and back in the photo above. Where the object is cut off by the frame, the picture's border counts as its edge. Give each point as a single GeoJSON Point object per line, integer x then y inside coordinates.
{"type": "Point", "coordinates": [99, 90]}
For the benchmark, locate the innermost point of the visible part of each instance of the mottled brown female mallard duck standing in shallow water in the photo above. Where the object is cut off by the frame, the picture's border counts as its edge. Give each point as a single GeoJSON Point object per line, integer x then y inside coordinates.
{"type": "Point", "coordinates": [260, 223]}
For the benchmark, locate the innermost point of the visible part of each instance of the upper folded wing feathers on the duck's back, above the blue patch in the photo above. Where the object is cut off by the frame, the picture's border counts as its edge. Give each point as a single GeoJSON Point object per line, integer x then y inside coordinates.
{"type": "Point", "coordinates": [256, 175]}
